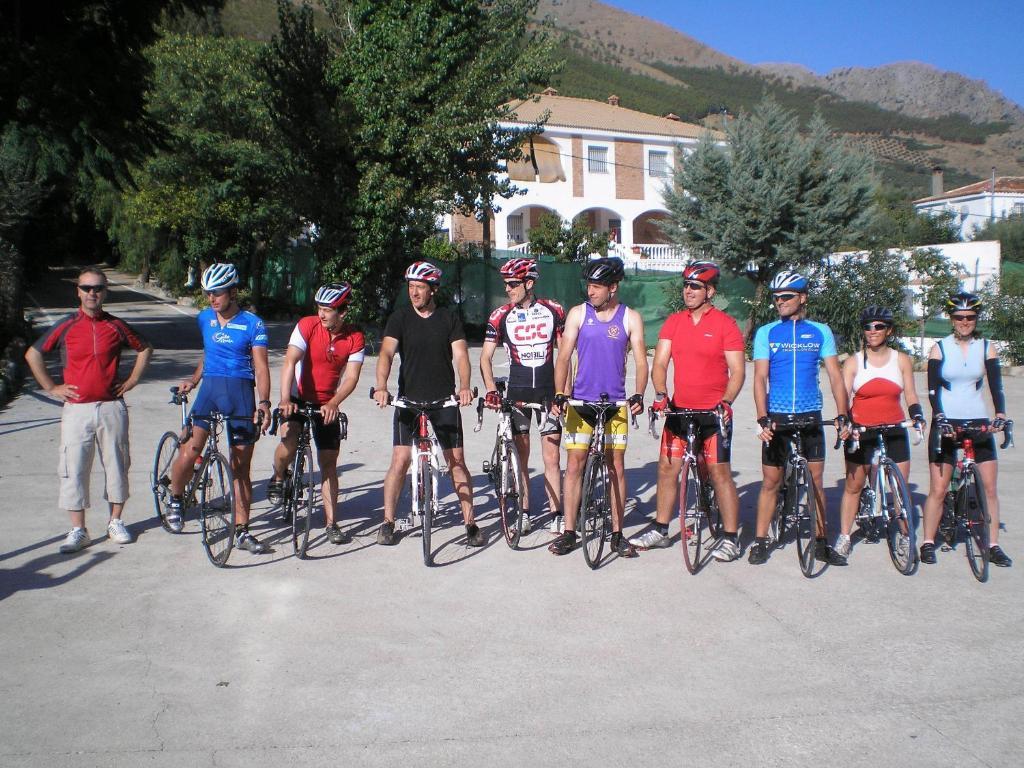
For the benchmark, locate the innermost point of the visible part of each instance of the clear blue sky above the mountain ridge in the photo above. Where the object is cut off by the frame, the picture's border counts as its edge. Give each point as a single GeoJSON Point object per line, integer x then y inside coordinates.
{"type": "Point", "coordinates": [977, 38]}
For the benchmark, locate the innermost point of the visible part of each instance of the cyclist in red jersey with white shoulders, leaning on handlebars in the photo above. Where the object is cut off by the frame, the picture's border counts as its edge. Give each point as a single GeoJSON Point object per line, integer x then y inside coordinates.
{"type": "Point", "coordinates": [322, 368]}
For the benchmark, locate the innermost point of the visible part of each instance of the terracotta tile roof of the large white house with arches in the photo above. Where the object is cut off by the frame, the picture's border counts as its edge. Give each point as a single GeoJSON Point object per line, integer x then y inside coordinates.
{"type": "Point", "coordinates": [568, 112]}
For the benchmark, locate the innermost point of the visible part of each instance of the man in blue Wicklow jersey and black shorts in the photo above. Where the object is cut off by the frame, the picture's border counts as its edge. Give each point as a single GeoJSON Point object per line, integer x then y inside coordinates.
{"type": "Point", "coordinates": [787, 357]}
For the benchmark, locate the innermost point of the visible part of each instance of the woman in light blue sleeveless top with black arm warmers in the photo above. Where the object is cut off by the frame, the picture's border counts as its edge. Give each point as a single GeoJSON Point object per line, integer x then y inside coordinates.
{"type": "Point", "coordinates": [957, 367]}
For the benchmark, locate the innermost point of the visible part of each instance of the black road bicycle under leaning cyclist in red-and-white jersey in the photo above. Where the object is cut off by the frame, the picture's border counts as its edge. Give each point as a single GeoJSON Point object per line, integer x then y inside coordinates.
{"type": "Point", "coordinates": [298, 488]}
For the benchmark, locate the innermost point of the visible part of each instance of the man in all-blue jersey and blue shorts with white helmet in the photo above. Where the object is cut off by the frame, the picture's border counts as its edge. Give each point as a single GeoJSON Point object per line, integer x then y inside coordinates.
{"type": "Point", "coordinates": [233, 364]}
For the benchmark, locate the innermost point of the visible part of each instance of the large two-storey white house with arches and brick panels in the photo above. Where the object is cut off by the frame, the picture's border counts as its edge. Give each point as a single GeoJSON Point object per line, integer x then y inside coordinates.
{"type": "Point", "coordinates": [596, 160]}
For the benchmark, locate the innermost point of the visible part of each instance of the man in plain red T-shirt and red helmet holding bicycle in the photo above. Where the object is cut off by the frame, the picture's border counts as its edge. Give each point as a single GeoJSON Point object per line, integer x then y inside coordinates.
{"type": "Point", "coordinates": [706, 350]}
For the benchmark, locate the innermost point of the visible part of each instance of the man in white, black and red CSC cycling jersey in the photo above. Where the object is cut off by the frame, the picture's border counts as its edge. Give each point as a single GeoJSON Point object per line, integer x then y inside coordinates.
{"type": "Point", "coordinates": [530, 329]}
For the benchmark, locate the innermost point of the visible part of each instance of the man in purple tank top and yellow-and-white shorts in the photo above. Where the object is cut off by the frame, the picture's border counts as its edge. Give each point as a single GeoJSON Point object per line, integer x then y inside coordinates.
{"type": "Point", "coordinates": [602, 332]}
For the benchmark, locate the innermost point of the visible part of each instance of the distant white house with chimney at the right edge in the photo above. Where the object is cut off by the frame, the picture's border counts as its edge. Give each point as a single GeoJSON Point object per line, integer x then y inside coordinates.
{"type": "Point", "coordinates": [976, 204]}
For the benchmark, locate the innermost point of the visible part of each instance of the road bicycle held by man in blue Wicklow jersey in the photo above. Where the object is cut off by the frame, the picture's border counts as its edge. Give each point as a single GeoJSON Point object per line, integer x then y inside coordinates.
{"type": "Point", "coordinates": [797, 506]}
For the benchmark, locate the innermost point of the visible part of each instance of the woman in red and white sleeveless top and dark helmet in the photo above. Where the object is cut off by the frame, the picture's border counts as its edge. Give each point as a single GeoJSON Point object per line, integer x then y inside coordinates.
{"type": "Point", "coordinates": [876, 379]}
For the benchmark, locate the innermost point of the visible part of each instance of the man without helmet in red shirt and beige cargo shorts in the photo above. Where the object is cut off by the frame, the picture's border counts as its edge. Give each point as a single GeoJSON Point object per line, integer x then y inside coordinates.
{"type": "Point", "coordinates": [95, 414]}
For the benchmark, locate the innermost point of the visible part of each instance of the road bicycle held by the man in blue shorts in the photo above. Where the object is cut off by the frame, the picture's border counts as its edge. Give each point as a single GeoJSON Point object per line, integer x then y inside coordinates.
{"type": "Point", "coordinates": [211, 487]}
